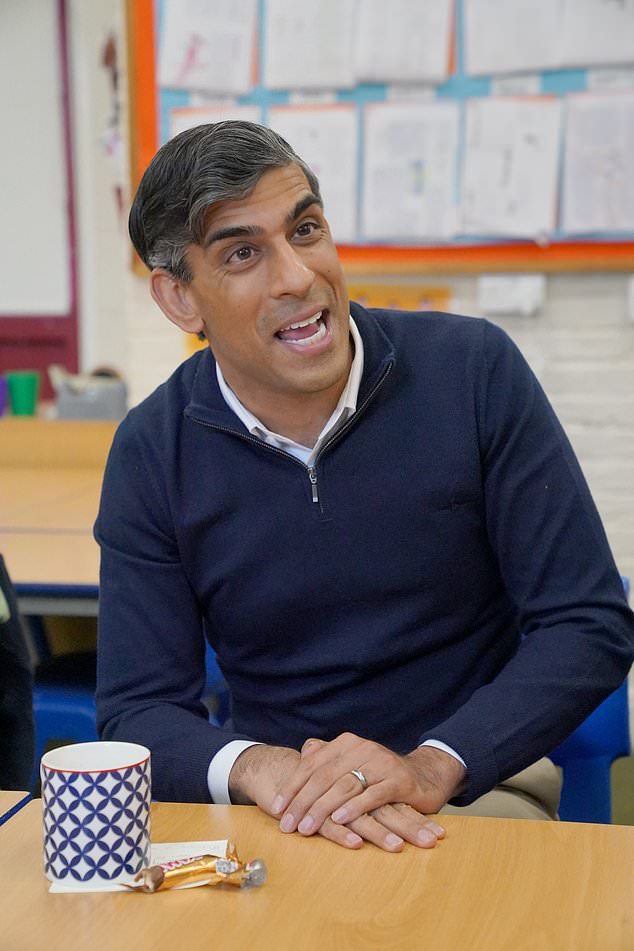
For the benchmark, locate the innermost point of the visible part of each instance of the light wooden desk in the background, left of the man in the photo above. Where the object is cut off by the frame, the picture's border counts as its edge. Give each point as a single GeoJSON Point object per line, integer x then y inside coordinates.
{"type": "Point", "coordinates": [50, 479]}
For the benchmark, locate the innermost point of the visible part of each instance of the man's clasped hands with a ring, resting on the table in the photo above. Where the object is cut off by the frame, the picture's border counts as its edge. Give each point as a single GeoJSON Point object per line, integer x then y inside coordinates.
{"type": "Point", "coordinates": [318, 793]}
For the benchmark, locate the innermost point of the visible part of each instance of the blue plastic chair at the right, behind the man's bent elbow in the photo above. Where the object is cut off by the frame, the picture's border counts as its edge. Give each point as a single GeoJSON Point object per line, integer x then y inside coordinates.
{"type": "Point", "coordinates": [586, 757]}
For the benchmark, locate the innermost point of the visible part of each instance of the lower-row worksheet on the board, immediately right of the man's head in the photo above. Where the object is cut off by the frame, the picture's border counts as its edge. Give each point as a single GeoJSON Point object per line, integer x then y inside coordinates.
{"type": "Point", "coordinates": [326, 138]}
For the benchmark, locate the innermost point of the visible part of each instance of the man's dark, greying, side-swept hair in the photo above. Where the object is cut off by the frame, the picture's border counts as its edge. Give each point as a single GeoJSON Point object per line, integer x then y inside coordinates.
{"type": "Point", "coordinates": [216, 162]}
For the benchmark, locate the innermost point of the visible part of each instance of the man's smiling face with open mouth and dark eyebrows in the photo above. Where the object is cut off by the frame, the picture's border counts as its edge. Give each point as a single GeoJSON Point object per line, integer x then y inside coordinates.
{"type": "Point", "coordinates": [269, 290]}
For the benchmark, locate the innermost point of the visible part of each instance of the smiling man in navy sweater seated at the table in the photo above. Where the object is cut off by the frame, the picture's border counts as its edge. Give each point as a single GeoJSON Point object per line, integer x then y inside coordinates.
{"type": "Point", "coordinates": [374, 517]}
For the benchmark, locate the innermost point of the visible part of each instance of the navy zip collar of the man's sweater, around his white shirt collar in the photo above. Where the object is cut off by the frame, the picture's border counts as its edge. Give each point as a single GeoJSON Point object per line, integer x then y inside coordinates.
{"type": "Point", "coordinates": [208, 405]}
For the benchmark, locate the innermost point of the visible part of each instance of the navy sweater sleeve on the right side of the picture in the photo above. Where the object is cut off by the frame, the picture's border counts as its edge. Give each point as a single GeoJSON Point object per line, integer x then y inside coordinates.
{"type": "Point", "coordinates": [556, 565]}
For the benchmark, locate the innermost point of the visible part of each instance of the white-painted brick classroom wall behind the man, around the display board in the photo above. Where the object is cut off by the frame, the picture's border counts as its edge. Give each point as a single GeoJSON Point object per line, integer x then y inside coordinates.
{"type": "Point", "coordinates": [581, 346]}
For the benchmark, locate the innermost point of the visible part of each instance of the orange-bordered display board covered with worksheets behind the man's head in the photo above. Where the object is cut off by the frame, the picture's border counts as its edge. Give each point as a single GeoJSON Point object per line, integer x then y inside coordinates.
{"type": "Point", "coordinates": [433, 153]}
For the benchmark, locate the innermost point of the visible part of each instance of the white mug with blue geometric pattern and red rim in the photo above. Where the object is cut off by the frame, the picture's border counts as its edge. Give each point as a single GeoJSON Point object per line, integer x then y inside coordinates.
{"type": "Point", "coordinates": [96, 811]}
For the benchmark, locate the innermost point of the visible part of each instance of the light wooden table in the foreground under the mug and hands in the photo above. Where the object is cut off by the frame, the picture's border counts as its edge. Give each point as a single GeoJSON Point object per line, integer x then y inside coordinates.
{"type": "Point", "coordinates": [492, 885]}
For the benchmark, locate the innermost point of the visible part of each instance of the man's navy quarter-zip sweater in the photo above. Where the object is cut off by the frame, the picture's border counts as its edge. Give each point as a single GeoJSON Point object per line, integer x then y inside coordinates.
{"type": "Point", "coordinates": [451, 516]}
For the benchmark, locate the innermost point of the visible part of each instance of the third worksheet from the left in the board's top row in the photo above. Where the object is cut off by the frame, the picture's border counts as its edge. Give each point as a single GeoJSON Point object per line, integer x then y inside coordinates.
{"type": "Point", "coordinates": [405, 41]}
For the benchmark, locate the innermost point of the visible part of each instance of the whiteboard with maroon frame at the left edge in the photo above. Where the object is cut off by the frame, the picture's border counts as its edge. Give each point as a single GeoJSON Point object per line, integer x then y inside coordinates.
{"type": "Point", "coordinates": [38, 278]}
